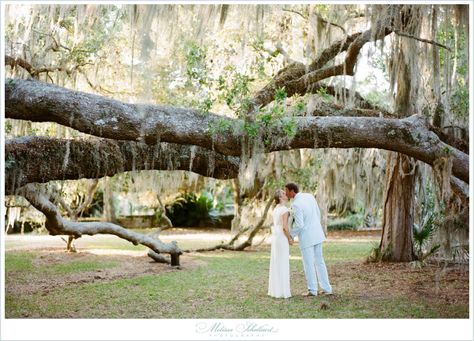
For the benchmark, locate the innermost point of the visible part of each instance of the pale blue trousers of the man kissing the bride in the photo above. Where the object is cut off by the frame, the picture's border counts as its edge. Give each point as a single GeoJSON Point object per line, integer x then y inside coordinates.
{"type": "Point", "coordinates": [315, 269]}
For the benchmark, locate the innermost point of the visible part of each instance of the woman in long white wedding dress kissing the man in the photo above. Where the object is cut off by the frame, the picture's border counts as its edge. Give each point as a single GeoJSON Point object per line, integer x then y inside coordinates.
{"type": "Point", "coordinates": [279, 277]}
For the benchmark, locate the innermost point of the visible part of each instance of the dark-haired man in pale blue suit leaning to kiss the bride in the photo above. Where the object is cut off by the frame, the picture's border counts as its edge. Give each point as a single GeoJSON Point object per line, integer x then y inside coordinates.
{"type": "Point", "coordinates": [307, 226]}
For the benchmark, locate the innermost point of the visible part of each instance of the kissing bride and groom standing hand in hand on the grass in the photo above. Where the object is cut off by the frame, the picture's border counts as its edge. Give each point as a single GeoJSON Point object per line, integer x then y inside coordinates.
{"type": "Point", "coordinates": [305, 219]}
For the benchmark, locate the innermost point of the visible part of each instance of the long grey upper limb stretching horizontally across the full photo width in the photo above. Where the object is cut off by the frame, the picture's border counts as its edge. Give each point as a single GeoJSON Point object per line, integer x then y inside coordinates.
{"type": "Point", "coordinates": [103, 117]}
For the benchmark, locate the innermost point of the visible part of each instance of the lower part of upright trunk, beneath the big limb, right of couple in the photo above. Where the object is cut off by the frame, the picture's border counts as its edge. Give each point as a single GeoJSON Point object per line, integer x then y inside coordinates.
{"type": "Point", "coordinates": [397, 234]}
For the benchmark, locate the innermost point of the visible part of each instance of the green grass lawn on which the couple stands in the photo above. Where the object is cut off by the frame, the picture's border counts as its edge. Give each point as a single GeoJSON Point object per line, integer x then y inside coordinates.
{"type": "Point", "coordinates": [229, 285]}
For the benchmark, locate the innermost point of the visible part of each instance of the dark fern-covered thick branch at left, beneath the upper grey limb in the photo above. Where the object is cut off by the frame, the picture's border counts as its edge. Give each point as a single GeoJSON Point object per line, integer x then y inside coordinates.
{"type": "Point", "coordinates": [42, 159]}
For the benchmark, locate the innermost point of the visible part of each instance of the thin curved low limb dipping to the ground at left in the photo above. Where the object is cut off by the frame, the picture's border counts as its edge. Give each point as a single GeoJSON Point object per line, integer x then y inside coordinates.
{"type": "Point", "coordinates": [56, 225]}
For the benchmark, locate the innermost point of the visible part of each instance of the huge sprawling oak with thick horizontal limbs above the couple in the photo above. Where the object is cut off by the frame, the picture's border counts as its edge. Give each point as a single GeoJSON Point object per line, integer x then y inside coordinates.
{"type": "Point", "coordinates": [141, 137]}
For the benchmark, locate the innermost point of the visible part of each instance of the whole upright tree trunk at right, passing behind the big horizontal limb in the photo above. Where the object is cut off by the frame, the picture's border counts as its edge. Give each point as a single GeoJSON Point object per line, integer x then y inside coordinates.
{"type": "Point", "coordinates": [397, 230]}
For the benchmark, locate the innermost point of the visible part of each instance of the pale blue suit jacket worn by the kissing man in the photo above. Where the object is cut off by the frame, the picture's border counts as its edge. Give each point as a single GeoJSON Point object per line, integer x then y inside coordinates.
{"type": "Point", "coordinates": [306, 220]}
